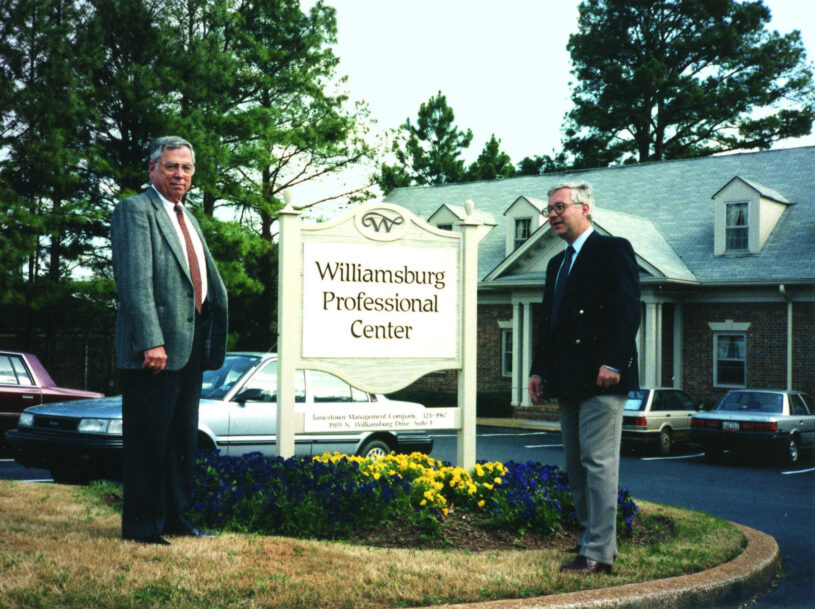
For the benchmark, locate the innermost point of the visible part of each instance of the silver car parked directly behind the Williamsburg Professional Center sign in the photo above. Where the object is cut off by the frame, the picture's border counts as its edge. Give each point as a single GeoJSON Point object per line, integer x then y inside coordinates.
{"type": "Point", "coordinates": [237, 415]}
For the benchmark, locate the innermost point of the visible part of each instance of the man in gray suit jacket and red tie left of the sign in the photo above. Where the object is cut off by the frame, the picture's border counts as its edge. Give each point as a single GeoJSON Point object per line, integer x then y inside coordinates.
{"type": "Point", "coordinates": [171, 326]}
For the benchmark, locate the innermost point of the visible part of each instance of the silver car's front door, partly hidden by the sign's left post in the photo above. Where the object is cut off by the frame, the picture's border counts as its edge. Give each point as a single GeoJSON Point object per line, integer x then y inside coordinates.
{"type": "Point", "coordinates": [253, 414]}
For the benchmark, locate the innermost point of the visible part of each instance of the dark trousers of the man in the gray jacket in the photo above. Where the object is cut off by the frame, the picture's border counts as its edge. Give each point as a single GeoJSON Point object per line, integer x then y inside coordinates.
{"type": "Point", "coordinates": [160, 434]}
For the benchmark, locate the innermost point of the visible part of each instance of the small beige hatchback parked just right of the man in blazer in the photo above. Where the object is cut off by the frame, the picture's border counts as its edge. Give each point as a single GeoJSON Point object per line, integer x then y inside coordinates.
{"type": "Point", "coordinates": [659, 416]}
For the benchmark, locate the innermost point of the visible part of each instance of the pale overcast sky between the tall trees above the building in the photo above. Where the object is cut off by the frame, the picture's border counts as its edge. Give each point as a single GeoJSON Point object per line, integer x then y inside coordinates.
{"type": "Point", "coordinates": [502, 65]}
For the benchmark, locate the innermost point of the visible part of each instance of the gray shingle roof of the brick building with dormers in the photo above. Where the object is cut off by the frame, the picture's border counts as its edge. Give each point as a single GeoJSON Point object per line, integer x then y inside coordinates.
{"type": "Point", "coordinates": [675, 198]}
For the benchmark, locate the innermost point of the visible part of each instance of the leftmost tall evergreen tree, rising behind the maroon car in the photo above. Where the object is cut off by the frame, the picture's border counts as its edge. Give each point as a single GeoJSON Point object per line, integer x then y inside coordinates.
{"type": "Point", "coordinates": [45, 141]}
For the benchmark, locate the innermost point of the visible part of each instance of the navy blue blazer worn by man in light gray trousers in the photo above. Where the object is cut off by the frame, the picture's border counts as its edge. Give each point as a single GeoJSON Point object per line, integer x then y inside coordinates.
{"type": "Point", "coordinates": [597, 324]}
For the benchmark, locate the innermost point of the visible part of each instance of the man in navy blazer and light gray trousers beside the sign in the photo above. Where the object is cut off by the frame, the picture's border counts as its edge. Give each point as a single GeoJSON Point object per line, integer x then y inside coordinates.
{"type": "Point", "coordinates": [586, 358]}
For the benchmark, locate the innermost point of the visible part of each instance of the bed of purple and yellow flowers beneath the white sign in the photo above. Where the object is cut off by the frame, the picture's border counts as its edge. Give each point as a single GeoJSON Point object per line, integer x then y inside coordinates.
{"type": "Point", "coordinates": [334, 496]}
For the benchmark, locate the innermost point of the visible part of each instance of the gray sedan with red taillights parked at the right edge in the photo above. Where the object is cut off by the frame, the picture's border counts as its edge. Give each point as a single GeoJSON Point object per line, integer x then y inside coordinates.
{"type": "Point", "coordinates": [780, 422]}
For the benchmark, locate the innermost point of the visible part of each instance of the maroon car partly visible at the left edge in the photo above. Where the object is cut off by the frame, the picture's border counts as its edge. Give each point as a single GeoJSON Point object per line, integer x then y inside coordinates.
{"type": "Point", "coordinates": [25, 382]}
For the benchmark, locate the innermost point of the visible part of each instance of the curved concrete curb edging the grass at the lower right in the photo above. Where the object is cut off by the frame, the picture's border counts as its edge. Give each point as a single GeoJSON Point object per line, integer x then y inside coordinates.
{"type": "Point", "coordinates": [746, 575]}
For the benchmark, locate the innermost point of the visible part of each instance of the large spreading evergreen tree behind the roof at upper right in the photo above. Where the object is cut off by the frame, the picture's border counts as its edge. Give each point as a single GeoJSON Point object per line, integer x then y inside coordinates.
{"type": "Point", "coordinates": [660, 79]}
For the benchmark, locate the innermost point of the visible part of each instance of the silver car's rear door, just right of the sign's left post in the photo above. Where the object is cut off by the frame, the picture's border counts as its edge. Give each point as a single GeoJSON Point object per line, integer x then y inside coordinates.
{"type": "Point", "coordinates": [331, 395]}
